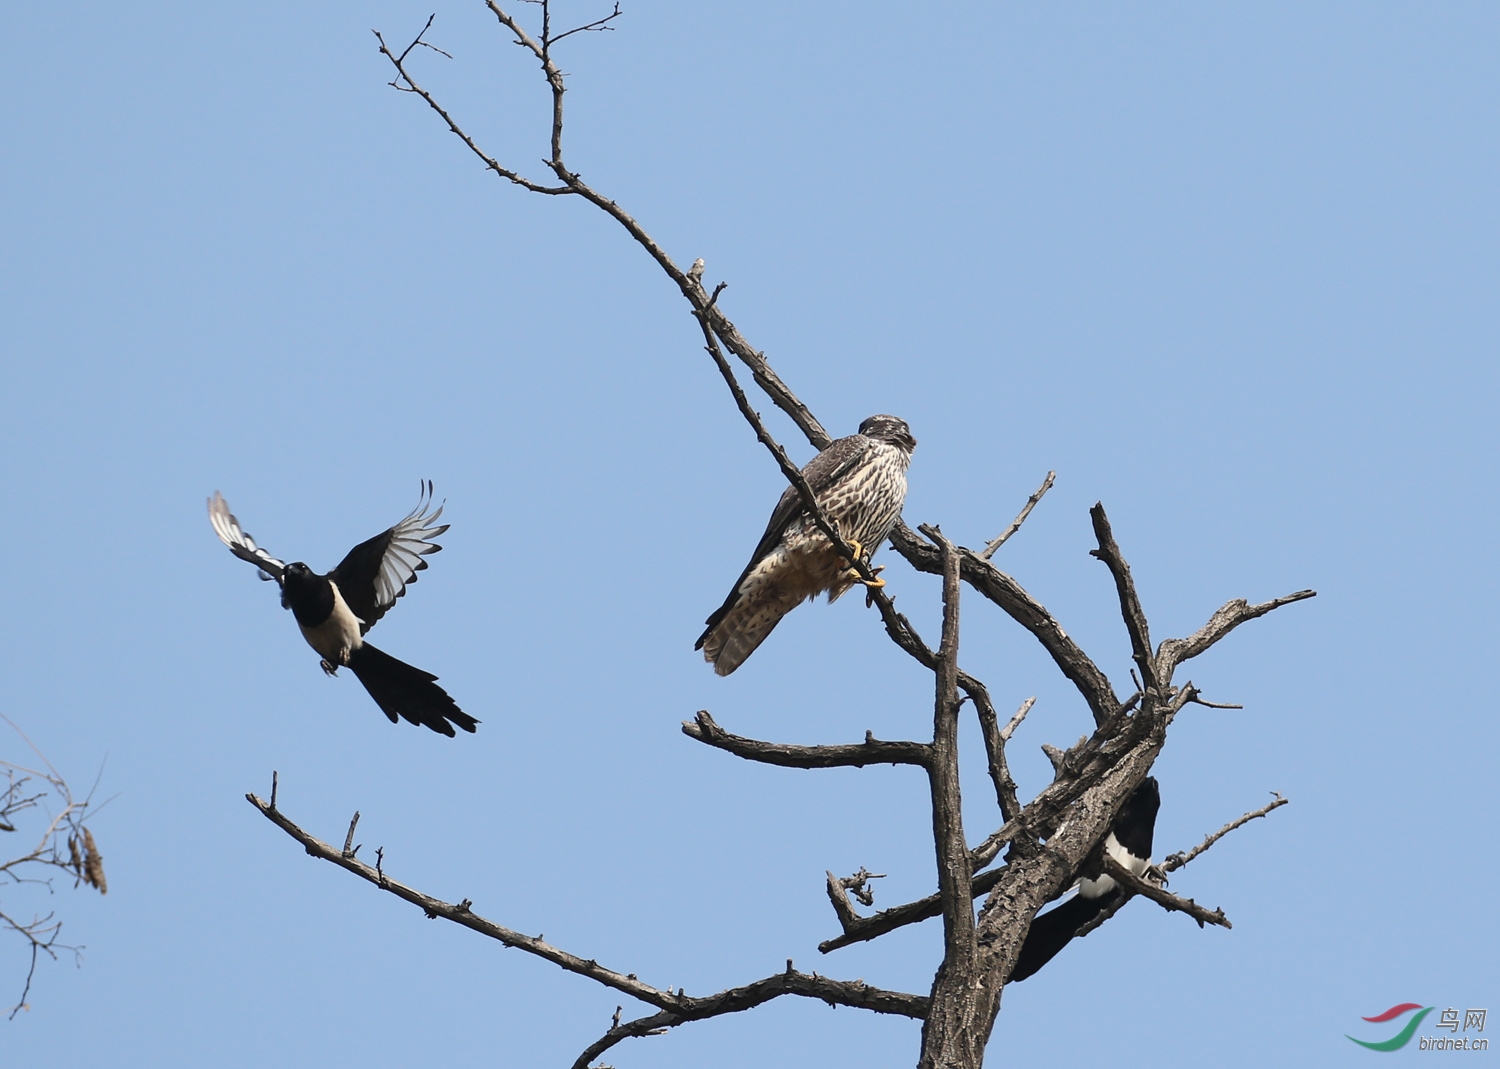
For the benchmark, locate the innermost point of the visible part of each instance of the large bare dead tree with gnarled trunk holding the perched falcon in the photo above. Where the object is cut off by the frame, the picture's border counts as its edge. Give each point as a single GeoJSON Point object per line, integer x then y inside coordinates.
{"type": "Point", "coordinates": [1048, 843]}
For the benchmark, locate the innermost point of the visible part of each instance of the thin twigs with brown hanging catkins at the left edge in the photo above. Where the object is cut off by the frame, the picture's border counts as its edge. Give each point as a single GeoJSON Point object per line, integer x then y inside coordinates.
{"type": "Point", "coordinates": [37, 804]}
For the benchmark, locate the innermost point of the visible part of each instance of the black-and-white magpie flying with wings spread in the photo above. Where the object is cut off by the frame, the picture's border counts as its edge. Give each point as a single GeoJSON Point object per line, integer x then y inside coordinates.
{"type": "Point", "coordinates": [335, 611]}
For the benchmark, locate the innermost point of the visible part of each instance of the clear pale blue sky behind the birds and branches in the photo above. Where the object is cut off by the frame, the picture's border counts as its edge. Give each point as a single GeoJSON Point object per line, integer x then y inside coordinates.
{"type": "Point", "coordinates": [1231, 271]}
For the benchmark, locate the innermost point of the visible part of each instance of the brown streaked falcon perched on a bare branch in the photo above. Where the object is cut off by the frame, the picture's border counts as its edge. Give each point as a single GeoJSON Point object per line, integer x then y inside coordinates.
{"type": "Point", "coordinates": [860, 485]}
